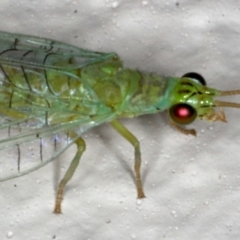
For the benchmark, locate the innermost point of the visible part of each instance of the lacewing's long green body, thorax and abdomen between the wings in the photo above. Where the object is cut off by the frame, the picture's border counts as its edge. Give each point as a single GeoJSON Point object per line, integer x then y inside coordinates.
{"type": "Point", "coordinates": [105, 88]}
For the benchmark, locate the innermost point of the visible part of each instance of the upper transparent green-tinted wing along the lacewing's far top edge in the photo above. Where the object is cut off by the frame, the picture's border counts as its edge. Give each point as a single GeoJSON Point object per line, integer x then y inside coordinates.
{"type": "Point", "coordinates": [24, 50]}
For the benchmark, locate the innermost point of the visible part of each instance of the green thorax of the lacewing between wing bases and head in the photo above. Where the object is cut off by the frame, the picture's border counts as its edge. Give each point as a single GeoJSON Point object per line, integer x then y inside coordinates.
{"type": "Point", "coordinates": [127, 92]}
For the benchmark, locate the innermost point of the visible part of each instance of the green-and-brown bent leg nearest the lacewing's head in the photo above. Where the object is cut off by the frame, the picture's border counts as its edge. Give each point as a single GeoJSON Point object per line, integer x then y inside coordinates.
{"type": "Point", "coordinates": [133, 140]}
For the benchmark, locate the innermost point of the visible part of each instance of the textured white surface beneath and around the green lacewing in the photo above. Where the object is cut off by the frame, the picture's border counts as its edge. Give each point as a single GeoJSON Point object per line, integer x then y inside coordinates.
{"type": "Point", "coordinates": [192, 184]}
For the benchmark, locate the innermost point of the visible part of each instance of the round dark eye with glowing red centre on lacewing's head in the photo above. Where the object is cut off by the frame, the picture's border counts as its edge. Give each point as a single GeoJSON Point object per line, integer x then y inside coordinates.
{"type": "Point", "coordinates": [182, 113]}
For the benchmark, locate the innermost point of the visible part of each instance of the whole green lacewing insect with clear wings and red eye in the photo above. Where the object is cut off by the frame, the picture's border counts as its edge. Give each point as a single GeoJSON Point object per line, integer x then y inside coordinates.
{"type": "Point", "coordinates": [51, 91]}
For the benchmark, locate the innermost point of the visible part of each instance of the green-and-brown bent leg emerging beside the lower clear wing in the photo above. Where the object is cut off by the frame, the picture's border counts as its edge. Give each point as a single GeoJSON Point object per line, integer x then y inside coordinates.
{"type": "Point", "coordinates": [68, 175]}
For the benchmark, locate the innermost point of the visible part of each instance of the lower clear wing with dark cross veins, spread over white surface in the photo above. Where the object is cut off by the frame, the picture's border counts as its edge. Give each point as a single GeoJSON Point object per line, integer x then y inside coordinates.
{"type": "Point", "coordinates": [24, 149]}
